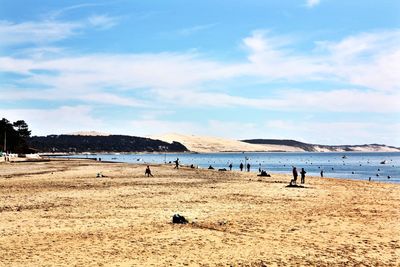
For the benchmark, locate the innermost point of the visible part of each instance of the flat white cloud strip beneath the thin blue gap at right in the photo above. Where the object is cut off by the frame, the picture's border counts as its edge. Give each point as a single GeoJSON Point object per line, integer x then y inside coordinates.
{"type": "Point", "coordinates": [341, 100]}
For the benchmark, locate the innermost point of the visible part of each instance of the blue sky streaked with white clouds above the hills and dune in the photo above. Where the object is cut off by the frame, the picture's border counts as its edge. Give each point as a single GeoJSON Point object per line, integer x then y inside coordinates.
{"type": "Point", "coordinates": [318, 71]}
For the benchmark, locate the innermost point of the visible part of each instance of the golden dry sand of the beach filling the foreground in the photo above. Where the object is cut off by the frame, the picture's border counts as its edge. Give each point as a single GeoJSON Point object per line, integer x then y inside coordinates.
{"type": "Point", "coordinates": [58, 214]}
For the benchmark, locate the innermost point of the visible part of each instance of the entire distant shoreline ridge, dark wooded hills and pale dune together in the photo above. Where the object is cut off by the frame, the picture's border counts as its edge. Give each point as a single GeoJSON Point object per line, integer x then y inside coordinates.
{"type": "Point", "coordinates": [95, 142]}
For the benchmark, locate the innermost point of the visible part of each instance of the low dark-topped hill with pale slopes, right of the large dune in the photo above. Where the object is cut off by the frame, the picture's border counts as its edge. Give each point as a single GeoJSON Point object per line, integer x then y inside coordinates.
{"type": "Point", "coordinates": [325, 148]}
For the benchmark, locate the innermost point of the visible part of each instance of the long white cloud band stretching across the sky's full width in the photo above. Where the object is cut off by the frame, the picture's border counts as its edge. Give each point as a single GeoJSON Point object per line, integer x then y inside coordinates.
{"type": "Point", "coordinates": [182, 79]}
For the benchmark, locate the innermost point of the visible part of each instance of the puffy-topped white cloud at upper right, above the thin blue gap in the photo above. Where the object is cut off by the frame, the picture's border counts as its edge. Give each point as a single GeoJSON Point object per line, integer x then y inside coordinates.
{"type": "Point", "coordinates": [366, 59]}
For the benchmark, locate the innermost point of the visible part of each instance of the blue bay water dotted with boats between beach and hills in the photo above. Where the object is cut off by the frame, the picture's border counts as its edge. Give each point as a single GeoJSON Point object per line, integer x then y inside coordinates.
{"type": "Point", "coordinates": [349, 165]}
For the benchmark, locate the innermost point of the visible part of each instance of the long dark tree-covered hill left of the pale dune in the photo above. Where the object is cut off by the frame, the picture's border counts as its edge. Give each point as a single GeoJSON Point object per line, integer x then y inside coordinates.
{"type": "Point", "coordinates": [109, 143]}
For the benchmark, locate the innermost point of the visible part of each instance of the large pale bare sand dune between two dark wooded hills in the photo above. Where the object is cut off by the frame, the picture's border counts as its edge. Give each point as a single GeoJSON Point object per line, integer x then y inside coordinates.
{"type": "Point", "coordinates": [207, 144]}
